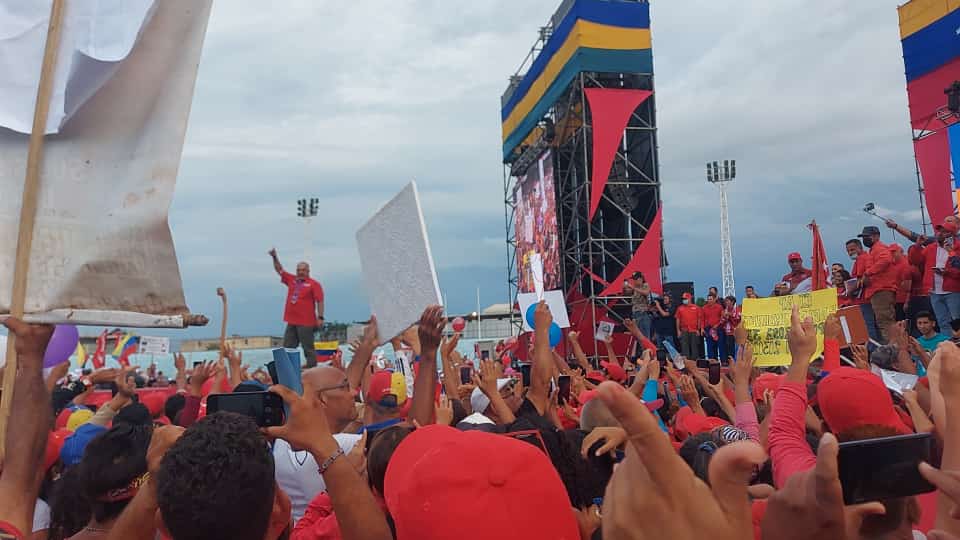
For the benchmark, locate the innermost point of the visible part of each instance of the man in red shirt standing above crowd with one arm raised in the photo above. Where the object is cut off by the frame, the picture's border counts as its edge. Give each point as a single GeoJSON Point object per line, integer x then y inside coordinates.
{"type": "Point", "coordinates": [303, 312]}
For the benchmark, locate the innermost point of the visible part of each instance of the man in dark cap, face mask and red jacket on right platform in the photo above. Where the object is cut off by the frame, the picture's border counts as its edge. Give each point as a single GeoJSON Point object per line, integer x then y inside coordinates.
{"type": "Point", "coordinates": [879, 279]}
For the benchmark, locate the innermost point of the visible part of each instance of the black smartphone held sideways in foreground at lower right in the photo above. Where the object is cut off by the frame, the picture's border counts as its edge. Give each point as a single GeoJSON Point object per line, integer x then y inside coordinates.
{"type": "Point", "coordinates": [885, 468]}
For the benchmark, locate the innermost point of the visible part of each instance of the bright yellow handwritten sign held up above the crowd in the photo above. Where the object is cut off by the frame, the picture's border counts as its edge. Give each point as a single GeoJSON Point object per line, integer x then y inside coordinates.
{"type": "Point", "coordinates": [767, 321]}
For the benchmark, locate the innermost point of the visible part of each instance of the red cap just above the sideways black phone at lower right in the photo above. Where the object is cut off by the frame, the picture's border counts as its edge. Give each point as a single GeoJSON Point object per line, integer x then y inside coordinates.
{"type": "Point", "coordinates": [851, 398]}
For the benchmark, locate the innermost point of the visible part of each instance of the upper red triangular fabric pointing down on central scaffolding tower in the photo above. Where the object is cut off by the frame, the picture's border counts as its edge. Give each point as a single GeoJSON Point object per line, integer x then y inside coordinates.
{"type": "Point", "coordinates": [610, 109]}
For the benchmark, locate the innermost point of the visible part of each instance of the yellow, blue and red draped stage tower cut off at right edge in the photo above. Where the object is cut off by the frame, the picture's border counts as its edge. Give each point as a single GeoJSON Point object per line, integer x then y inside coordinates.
{"type": "Point", "coordinates": [931, 56]}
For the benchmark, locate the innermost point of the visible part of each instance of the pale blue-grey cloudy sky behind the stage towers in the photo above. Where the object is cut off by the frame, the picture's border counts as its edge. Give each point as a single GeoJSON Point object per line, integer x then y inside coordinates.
{"type": "Point", "coordinates": [348, 101]}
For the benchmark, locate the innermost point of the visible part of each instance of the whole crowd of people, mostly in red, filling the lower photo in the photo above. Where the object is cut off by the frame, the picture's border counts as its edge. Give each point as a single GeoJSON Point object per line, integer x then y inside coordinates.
{"type": "Point", "coordinates": [557, 446]}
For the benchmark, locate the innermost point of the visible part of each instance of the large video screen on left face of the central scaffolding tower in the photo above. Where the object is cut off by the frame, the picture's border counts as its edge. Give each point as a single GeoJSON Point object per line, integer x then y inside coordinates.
{"type": "Point", "coordinates": [536, 226]}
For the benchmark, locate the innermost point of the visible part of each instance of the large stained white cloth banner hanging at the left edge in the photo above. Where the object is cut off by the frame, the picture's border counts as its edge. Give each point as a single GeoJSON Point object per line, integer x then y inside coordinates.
{"type": "Point", "coordinates": [102, 242]}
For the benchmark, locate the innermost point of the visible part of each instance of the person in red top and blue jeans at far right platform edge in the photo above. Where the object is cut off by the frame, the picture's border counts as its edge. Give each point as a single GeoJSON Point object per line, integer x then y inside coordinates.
{"type": "Point", "coordinates": [940, 276]}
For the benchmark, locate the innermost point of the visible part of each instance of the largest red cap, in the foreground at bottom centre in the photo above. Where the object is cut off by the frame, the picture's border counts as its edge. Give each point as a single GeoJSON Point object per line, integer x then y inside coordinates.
{"type": "Point", "coordinates": [510, 483]}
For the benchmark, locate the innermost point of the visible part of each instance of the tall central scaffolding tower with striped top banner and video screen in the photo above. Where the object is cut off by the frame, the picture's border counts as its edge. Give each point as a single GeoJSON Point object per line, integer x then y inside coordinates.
{"type": "Point", "coordinates": [581, 179]}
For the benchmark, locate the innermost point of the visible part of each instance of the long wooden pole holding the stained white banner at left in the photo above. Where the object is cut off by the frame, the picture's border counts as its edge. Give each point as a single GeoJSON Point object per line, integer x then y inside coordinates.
{"type": "Point", "coordinates": [28, 208]}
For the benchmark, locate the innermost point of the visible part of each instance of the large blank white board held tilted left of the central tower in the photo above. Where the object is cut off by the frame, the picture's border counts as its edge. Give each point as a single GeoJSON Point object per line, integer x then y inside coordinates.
{"type": "Point", "coordinates": [398, 271]}
